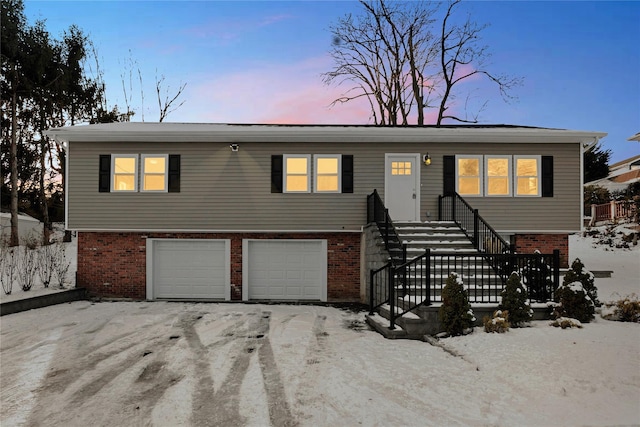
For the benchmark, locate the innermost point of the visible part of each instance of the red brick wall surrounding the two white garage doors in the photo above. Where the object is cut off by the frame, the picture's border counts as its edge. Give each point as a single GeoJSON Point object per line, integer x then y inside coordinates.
{"type": "Point", "coordinates": [112, 264]}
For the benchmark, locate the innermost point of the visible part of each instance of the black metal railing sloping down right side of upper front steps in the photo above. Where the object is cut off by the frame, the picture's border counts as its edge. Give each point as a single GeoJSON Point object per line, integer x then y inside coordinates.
{"type": "Point", "coordinates": [485, 239]}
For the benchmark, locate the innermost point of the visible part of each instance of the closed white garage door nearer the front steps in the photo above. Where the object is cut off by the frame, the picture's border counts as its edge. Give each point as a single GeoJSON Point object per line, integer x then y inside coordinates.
{"type": "Point", "coordinates": [284, 269]}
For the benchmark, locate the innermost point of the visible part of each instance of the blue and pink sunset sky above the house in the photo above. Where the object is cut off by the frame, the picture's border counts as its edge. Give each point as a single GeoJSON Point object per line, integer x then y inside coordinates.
{"type": "Point", "coordinates": [261, 61]}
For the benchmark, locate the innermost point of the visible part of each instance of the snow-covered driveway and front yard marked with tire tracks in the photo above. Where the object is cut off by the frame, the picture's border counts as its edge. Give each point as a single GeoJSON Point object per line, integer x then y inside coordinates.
{"type": "Point", "coordinates": [190, 364]}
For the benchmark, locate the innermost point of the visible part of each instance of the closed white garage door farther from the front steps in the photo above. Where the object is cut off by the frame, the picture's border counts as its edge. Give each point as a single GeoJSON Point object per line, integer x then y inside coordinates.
{"type": "Point", "coordinates": [191, 269]}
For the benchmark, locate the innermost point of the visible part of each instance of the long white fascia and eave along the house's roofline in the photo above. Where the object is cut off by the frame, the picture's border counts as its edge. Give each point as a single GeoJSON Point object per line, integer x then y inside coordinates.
{"type": "Point", "coordinates": [198, 132]}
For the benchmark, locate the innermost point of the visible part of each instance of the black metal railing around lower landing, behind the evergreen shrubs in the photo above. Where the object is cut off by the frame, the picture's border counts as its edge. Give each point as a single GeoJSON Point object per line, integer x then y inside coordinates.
{"type": "Point", "coordinates": [420, 281]}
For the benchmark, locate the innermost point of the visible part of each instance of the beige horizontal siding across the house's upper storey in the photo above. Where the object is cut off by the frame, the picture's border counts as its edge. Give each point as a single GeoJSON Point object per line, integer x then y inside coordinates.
{"type": "Point", "coordinates": [221, 190]}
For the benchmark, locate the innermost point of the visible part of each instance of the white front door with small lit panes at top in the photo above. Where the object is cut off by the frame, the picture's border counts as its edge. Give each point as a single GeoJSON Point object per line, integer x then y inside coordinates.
{"type": "Point", "coordinates": [402, 186]}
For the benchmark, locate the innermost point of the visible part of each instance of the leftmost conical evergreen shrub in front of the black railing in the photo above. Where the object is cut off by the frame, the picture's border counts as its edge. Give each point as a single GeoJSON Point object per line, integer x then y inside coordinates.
{"type": "Point", "coordinates": [455, 313]}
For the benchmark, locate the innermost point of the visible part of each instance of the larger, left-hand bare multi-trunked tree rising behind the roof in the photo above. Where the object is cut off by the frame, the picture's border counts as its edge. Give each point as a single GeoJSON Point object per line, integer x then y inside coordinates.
{"type": "Point", "coordinates": [384, 54]}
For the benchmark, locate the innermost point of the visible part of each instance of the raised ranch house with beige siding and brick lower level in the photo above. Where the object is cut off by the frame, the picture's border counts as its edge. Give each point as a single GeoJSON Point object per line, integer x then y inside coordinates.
{"type": "Point", "coordinates": [259, 212]}
